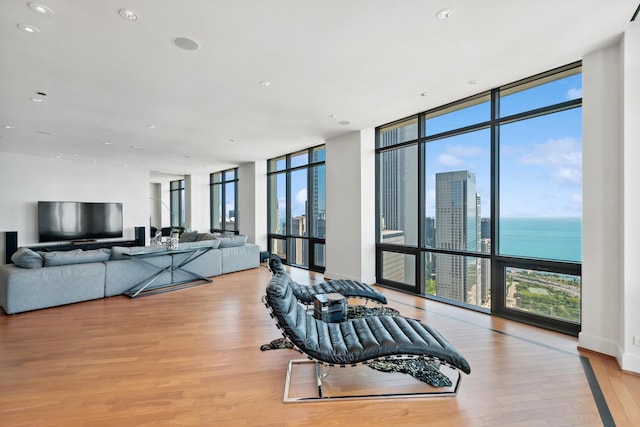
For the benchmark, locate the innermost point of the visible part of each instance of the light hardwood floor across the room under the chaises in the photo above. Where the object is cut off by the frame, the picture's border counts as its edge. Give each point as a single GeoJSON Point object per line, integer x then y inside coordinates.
{"type": "Point", "coordinates": [192, 358]}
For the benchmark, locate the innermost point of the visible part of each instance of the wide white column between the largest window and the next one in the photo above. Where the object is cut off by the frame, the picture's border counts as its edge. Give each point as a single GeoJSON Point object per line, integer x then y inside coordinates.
{"type": "Point", "coordinates": [350, 181]}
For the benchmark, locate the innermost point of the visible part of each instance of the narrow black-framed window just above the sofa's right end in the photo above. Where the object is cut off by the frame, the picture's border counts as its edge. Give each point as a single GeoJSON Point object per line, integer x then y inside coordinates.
{"type": "Point", "coordinates": [224, 201]}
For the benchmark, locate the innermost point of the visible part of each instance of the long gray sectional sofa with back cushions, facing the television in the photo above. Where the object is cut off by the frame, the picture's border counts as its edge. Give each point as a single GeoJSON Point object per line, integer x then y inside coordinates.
{"type": "Point", "coordinates": [38, 280]}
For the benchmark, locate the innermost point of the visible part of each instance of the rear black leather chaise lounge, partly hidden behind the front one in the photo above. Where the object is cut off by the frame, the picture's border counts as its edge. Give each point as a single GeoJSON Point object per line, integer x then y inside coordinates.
{"type": "Point", "coordinates": [347, 288]}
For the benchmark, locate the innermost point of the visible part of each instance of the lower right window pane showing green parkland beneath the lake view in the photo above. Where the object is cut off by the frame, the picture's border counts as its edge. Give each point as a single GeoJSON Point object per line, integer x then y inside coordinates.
{"type": "Point", "coordinates": [543, 293]}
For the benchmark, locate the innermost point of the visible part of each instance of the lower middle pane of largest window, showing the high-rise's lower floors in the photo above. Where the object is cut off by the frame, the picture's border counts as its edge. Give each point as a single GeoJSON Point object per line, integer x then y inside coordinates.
{"type": "Point", "coordinates": [459, 278]}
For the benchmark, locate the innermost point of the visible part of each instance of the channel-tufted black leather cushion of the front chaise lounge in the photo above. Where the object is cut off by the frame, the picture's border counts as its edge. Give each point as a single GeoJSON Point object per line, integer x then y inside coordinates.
{"type": "Point", "coordinates": [356, 340]}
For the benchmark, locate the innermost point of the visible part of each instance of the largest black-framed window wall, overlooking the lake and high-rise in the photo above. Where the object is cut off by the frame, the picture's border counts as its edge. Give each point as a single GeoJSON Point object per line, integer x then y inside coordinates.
{"type": "Point", "coordinates": [479, 201]}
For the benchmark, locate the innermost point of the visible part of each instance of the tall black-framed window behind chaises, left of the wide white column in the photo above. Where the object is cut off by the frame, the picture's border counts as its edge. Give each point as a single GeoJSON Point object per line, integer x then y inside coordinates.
{"type": "Point", "coordinates": [296, 200]}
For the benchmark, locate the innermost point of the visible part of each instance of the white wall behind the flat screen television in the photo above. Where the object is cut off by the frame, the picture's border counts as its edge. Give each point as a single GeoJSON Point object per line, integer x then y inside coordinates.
{"type": "Point", "coordinates": [28, 179]}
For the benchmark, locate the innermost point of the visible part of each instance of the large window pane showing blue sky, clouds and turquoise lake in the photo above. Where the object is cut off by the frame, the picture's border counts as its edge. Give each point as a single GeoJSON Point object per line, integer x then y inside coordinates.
{"type": "Point", "coordinates": [541, 187]}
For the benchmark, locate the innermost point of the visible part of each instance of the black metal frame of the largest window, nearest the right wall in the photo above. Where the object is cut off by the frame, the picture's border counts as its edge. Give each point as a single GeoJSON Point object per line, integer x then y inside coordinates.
{"type": "Point", "coordinates": [499, 263]}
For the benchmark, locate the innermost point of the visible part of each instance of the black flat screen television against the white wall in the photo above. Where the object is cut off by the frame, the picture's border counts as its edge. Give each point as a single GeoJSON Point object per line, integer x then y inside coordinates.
{"type": "Point", "coordinates": [60, 221]}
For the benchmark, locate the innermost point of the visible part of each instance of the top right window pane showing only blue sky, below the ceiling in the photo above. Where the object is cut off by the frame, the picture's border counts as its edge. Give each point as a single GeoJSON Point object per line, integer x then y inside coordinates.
{"type": "Point", "coordinates": [541, 93]}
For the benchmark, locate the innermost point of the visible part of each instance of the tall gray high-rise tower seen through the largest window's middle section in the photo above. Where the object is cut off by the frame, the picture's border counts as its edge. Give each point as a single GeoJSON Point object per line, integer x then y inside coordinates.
{"type": "Point", "coordinates": [457, 228]}
